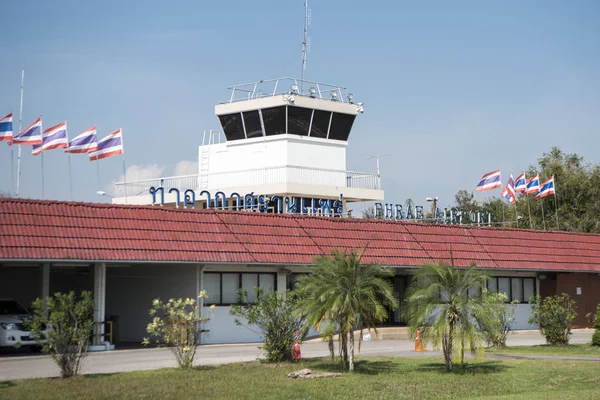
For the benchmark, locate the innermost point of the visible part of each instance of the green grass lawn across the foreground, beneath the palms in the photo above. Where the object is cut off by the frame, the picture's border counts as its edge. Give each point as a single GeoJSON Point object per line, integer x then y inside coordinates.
{"type": "Point", "coordinates": [375, 378]}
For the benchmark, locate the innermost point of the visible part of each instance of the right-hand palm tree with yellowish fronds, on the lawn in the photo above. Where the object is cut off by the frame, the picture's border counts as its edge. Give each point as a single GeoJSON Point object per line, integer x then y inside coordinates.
{"type": "Point", "coordinates": [440, 306]}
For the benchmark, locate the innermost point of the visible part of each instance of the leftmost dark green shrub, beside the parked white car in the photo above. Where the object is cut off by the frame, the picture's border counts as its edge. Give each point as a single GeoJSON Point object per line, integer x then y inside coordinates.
{"type": "Point", "coordinates": [63, 325]}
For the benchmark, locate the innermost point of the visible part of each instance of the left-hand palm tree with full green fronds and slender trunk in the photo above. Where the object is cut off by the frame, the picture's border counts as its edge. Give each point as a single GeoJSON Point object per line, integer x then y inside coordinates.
{"type": "Point", "coordinates": [352, 296]}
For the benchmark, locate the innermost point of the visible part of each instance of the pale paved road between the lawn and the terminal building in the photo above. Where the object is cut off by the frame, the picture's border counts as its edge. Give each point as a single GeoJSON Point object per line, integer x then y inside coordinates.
{"type": "Point", "coordinates": [12, 367]}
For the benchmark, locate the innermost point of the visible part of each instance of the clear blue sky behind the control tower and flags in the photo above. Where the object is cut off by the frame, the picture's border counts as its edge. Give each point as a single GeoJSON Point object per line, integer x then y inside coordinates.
{"type": "Point", "coordinates": [452, 90]}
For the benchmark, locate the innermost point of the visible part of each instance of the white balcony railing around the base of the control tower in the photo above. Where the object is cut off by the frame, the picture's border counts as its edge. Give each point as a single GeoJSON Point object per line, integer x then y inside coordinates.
{"type": "Point", "coordinates": [253, 177]}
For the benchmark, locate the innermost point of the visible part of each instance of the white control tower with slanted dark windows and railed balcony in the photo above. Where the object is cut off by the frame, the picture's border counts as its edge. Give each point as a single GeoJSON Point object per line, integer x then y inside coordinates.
{"type": "Point", "coordinates": [281, 137]}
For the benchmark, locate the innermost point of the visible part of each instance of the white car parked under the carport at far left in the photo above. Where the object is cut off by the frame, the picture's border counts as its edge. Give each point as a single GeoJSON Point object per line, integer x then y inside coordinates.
{"type": "Point", "coordinates": [12, 329]}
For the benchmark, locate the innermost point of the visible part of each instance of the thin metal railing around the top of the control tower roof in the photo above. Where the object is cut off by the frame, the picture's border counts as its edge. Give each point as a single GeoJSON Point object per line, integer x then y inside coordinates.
{"type": "Point", "coordinates": [280, 86]}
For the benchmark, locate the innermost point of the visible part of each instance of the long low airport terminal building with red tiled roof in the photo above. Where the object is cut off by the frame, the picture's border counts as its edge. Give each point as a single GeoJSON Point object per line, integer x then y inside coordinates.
{"type": "Point", "coordinates": [128, 255]}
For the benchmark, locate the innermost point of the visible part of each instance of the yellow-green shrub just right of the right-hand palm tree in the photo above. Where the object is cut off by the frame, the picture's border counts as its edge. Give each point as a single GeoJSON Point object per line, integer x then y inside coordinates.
{"type": "Point", "coordinates": [495, 318]}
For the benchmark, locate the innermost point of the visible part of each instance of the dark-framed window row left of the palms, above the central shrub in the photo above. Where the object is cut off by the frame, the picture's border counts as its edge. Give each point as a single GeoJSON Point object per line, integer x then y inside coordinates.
{"type": "Point", "coordinates": [222, 288]}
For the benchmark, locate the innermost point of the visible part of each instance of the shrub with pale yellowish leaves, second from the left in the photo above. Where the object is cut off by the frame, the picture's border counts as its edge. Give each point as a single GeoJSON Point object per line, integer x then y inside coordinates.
{"type": "Point", "coordinates": [178, 325]}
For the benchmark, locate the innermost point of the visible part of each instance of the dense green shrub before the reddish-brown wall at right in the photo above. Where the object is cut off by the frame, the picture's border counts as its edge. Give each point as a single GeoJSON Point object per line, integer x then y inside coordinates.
{"type": "Point", "coordinates": [554, 314]}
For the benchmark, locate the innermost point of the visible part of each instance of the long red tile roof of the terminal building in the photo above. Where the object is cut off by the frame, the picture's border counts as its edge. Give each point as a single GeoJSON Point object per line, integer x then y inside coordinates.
{"type": "Point", "coordinates": [53, 230]}
